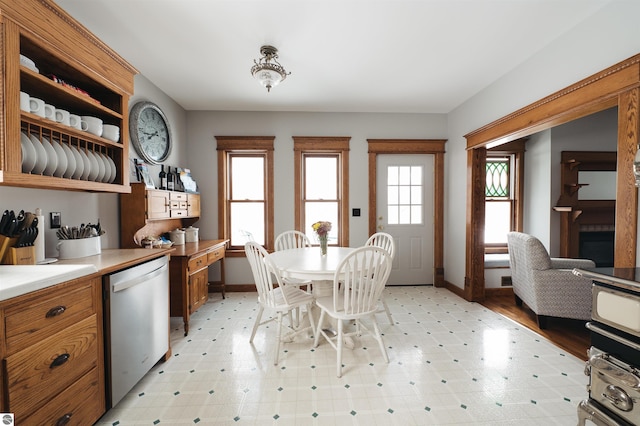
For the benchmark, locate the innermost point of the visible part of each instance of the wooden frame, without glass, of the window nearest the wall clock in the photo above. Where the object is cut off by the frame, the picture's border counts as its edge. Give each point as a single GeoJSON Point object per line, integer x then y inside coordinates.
{"type": "Point", "coordinates": [228, 146]}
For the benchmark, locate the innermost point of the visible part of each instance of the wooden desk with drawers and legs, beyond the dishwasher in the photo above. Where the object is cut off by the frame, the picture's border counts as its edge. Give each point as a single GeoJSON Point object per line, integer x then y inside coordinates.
{"type": "Point", "coordinates": [189, 276]}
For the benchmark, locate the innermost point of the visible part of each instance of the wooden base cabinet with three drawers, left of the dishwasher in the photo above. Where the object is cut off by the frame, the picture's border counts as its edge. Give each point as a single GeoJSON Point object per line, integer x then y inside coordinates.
{"type": "Point", "coordinates": [52, 353]}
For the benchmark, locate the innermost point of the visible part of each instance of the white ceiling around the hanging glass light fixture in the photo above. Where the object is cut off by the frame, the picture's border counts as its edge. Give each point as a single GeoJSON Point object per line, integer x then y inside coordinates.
{"type": "Point", "coordinates": [404, 56]}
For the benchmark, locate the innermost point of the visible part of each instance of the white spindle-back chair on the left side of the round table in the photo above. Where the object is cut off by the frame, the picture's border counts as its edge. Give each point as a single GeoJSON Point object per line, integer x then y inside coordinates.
{"type": "Point", "coordinates": [281, 298]}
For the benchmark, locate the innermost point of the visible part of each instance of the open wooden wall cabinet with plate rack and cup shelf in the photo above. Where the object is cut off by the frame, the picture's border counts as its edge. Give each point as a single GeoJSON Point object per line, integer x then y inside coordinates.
{"type": "Point", "coordinates": [75, 72]}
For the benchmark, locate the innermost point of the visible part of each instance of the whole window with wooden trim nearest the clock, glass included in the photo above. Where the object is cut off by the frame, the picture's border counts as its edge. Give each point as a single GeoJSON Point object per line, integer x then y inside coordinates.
{"type": "Point", "coordinates": [245, 191]}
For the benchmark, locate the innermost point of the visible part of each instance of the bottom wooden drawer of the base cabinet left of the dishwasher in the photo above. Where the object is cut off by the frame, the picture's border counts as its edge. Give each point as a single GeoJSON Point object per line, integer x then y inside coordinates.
{"type": "Point", "coordinates": [82, 403]}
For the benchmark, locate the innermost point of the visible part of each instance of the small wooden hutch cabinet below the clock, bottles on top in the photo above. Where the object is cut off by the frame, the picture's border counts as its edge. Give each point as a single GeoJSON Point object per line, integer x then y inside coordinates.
{"type": "Point", "coordinates": [152, 212]}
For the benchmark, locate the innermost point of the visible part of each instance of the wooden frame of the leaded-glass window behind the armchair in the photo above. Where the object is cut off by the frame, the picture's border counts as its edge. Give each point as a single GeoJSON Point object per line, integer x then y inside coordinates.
{"type": "Point", "coordinates": [515, 151]}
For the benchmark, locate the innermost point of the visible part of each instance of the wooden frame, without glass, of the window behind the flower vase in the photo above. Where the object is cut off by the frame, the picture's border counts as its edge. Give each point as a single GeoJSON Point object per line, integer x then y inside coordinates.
{"type": "Point", "coordinates": [305, 145]}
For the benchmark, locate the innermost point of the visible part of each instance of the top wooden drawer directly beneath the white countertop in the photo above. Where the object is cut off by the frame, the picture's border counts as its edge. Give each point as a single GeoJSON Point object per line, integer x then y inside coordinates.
{"type": "Point", "coordinates": [32, 320]}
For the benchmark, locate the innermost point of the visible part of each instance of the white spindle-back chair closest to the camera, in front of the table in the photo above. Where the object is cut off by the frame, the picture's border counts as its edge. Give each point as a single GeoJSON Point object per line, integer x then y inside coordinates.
{"type": "Point", "coordinates": [357, 287]}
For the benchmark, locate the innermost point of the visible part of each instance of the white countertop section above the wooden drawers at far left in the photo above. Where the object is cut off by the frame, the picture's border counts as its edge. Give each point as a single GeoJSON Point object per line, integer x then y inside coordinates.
{"type": "Point", "coordinates": [16, 280]}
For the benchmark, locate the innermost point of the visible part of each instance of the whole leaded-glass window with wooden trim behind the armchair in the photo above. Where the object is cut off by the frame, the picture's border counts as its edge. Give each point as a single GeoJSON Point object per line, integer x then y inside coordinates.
{"type": "Point", "coordinates": [503, 200]}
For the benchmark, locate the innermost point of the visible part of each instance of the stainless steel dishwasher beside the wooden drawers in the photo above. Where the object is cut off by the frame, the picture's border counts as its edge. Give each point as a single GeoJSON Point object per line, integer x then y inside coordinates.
{"type": "Point", "coordinates": [136, 324]}
